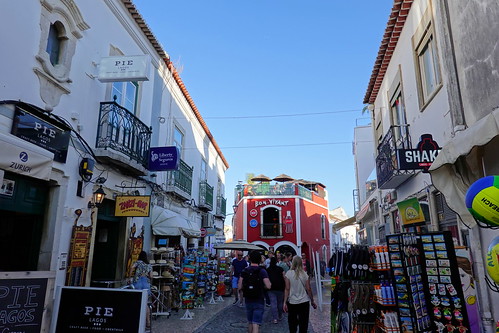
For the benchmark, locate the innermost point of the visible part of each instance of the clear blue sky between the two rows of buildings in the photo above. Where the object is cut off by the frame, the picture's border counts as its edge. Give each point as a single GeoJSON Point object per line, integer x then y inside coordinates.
{"type": "Point", "coordinates": [280, 83]}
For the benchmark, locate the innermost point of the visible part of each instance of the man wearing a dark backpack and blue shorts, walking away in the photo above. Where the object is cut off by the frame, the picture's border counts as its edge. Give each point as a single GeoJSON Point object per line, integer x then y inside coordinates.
{"type": "Point", "coordinates": [253, 281]}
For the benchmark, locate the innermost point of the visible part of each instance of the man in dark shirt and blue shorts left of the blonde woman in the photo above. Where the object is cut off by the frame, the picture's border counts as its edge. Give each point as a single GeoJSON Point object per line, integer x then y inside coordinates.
{"type": "Point", "coordinates": [255, 306]}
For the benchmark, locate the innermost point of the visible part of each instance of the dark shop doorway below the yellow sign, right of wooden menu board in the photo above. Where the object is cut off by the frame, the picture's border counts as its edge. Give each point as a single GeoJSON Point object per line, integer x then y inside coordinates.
{"type": "Point", "coordinates": [109, 246]}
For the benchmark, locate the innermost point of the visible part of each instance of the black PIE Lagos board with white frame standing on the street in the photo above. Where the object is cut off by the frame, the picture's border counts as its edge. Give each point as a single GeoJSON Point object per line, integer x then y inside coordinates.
{"type": "Point", "coordinates": [79, 309]}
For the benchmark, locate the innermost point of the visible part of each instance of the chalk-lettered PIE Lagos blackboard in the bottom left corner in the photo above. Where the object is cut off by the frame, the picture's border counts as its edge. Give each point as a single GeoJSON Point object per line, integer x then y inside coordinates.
{"type": "Point", "coordinates": [21, 305]}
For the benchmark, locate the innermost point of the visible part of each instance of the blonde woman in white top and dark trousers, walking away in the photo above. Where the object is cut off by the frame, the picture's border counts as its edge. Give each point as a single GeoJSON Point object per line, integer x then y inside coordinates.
{"type": "Point", "coordinates": [297, 297]}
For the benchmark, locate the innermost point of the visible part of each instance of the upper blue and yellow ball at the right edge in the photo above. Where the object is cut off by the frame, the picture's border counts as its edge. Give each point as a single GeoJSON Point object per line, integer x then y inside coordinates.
{"type": "Point", "coordinates": [482, 200]}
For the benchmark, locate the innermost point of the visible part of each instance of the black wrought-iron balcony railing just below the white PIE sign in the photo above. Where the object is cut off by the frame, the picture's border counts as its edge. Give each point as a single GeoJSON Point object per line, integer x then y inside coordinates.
{"type": "Point", "coordinates": [120, 130]}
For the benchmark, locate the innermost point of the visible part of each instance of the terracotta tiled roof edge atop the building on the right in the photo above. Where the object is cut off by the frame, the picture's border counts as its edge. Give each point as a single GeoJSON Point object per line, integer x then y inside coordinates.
{"type": "Point", "coordinates": [394, 27]}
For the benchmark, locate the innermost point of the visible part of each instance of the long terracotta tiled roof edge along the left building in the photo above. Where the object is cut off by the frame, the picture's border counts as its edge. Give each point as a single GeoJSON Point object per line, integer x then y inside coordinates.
{"type": "Point", "coordinates": [166, 58]}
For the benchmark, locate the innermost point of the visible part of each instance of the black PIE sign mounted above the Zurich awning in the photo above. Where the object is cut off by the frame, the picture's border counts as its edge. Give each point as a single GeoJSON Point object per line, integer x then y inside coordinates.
{"type": "Point", "coordinates": [42, 131]}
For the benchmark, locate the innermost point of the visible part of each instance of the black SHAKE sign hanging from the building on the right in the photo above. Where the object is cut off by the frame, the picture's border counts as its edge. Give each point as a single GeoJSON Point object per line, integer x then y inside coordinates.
{"type": "Point", "coordinates": [420, 158]}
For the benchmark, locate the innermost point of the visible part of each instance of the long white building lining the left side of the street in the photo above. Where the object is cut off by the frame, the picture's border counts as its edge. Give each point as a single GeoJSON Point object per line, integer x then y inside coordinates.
{"type": "Point", "coordinates": [57, 116]}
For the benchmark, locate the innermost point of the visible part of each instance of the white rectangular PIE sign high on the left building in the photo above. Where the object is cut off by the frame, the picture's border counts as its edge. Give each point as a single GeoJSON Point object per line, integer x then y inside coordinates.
{"type": "Point", "coordinates": [124, 68]}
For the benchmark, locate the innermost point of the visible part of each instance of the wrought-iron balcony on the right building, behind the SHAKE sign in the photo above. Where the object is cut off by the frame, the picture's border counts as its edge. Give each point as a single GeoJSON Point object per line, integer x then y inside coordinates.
{"type": "Point", "coordinates": [387, 166]}
